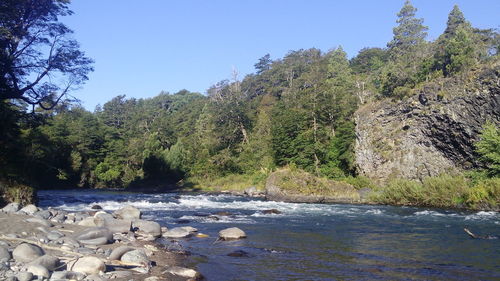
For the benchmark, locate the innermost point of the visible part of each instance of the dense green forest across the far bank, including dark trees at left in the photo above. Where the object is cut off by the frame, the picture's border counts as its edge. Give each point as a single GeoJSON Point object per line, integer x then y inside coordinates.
{"type": "Point", "coordinates": [296, 111]}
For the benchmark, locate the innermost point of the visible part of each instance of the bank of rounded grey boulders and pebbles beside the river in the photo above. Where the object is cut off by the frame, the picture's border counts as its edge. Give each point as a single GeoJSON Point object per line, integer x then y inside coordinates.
{"type": "Point", "coordinates": [50, 244]}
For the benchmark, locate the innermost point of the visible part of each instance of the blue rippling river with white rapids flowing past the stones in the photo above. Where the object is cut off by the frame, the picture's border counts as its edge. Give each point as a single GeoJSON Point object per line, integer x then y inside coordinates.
{"type": "Point", "coordinates": [314, 241]}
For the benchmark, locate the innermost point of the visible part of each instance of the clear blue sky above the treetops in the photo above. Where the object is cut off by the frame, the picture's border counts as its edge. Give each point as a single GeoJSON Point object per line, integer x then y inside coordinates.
{"type": "Point", "coordinates": [143, 47]}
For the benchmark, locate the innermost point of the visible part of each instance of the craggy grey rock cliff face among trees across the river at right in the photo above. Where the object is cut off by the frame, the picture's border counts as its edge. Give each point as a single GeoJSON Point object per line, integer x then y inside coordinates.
{"type": "Point", "coordinates": [429, 133]}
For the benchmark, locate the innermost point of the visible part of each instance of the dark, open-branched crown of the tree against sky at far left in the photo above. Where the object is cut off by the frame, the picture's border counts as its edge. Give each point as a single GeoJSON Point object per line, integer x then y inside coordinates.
{"type": "Point", "coordinates": [35, 47]}
